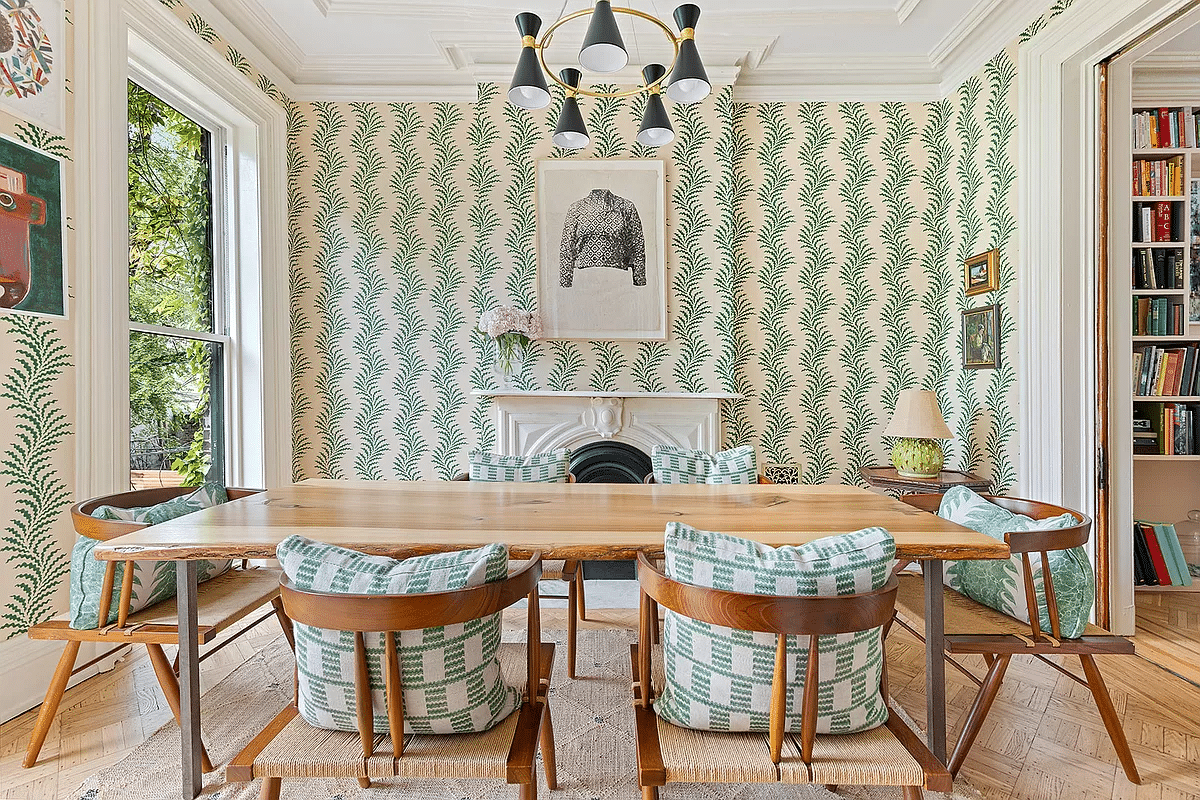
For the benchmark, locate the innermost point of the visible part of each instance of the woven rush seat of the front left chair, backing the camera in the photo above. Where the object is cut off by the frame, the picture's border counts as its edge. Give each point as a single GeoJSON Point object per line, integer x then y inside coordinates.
{"type": "Point", "coordinates": [301, 751]}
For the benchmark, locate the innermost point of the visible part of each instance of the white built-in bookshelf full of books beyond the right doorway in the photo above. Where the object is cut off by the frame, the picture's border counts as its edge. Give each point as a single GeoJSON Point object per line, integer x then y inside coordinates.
{"type": "Point", "coordinates": [1166, 318]}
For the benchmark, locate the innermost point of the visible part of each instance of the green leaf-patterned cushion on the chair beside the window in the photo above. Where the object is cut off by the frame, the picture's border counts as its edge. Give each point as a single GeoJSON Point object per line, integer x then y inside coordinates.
{"type": "Point", "coordinates": [153, 581]}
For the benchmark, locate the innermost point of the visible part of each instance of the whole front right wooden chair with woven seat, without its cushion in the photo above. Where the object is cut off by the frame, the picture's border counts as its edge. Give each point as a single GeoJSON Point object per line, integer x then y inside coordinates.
{"type": "Point", "coordinates": [891, 755]}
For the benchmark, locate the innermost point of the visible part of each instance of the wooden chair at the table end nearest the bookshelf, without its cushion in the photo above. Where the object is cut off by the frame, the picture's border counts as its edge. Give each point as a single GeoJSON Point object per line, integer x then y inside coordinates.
{"type": "Point", "coordinates": [973, 628]}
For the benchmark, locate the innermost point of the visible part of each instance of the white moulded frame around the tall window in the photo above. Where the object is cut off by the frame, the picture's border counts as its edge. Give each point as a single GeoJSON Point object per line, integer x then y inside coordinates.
{"type": "Point", "coordinates": [142, 41]}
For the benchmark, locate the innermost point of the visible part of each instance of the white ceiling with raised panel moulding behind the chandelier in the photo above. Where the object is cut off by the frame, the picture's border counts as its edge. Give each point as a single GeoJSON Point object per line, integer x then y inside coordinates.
{"type": "Point", "coordinates": [770, 50]}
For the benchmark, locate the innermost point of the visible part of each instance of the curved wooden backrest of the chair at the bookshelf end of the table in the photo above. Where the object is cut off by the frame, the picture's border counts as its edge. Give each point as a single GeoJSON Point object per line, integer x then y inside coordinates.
{"type": "Point", "coordinates": [1024, 543]}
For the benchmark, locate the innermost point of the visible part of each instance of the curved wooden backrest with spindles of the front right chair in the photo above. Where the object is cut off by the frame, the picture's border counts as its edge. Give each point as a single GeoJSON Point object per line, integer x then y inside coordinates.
{"type": "Point", "coordinates": [813, 617]}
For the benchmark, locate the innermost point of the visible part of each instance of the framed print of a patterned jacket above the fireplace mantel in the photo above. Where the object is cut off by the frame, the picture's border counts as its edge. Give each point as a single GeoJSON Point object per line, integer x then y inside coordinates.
{"type": "Point", "coordinates": [602, 250]}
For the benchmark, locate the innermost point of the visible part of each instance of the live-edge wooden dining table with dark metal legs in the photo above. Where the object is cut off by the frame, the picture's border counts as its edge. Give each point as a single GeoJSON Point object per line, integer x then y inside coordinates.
{"type": "Point", "coordinates": [572, 521]}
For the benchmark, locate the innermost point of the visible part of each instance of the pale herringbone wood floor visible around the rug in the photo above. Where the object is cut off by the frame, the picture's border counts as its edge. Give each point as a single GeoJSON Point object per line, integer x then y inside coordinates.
{"type": "Point", "coordinates": [1043, 739]}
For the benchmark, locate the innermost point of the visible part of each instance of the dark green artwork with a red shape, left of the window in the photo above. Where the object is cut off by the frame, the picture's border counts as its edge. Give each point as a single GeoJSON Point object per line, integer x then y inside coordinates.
{"type": "Point", "coordinates": [33, 278]}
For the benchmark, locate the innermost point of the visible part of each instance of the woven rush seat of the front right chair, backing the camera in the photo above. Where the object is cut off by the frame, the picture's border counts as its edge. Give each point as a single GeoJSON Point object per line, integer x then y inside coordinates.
{"type": "Point", "coordinates": [875, 757]}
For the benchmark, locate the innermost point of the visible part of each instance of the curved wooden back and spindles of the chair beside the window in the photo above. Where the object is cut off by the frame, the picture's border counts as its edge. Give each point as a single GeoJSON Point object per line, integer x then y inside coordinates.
{"type": "Point", "coordinates": [106, 530]}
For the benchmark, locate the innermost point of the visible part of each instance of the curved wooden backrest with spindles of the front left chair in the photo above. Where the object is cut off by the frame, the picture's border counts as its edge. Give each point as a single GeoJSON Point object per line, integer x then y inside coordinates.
{"type": "Point", "coordinates": [391, 613]}
